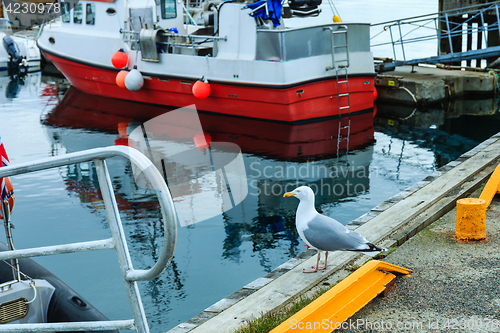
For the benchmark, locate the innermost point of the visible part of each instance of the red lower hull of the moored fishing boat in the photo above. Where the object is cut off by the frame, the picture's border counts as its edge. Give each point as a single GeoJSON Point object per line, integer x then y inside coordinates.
{"type": "Point", "coordinates": [306, 102]}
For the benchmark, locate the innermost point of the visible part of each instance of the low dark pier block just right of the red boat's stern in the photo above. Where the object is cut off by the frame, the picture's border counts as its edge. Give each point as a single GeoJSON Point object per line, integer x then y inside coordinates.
{"type": "Point", "coordinates": [424, 85]}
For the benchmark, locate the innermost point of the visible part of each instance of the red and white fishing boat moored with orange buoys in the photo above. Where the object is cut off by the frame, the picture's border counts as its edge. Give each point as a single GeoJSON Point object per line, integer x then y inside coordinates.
{"type": "Point", "coordinates": [294, 72]}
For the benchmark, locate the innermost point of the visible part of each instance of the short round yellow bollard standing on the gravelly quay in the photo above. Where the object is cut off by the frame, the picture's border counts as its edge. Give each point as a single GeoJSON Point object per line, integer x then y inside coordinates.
{"type": "Point", "coordinates": [471, 219]}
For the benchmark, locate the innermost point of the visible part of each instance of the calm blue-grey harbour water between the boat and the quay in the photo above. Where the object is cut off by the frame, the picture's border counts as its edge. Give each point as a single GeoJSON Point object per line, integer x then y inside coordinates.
{"type": "Point", "coordinates": [43, 117]}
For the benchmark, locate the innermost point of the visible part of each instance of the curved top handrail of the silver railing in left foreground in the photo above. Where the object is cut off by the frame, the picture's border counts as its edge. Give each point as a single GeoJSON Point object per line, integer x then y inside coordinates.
{"type": "Point", "coordinates": [152, 175]}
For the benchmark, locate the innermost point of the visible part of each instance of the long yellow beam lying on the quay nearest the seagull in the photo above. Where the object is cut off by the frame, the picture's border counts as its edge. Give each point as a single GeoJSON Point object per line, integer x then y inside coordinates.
{"type": "Point", "coordinates": [338, 304]}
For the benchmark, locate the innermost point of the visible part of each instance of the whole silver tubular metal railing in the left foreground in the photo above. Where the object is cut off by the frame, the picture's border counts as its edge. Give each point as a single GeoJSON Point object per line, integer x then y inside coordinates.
{"type": "Point", "coordinates": [117, 241]}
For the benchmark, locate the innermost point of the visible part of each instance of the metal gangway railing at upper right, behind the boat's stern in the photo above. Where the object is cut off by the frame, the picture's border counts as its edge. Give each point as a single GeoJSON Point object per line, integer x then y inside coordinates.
{"type": "Point", "coordinates": [449, 26]}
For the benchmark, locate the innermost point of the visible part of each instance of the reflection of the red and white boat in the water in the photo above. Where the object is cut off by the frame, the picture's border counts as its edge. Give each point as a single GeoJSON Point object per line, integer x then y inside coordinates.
{"type": "Point", "coordinates": [277, 155]}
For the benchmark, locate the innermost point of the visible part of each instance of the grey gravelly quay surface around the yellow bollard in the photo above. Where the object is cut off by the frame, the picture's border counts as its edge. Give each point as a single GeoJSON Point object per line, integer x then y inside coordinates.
{"type": "Point", "coordinates": [453, 288]}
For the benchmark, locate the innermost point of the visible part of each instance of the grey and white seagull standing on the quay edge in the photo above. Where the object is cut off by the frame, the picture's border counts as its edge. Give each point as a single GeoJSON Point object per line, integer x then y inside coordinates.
{"type": "Point", "coordinates": [323, 233]}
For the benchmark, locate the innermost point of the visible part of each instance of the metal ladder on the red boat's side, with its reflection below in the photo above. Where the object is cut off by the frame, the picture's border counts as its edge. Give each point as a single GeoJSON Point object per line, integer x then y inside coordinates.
{"type": "Point", "coordinates": [340, 67]}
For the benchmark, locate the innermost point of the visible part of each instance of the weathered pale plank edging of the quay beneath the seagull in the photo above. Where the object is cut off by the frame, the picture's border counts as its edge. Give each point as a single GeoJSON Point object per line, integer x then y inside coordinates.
{"type": "Point", "coordinates": [390, 224]}
